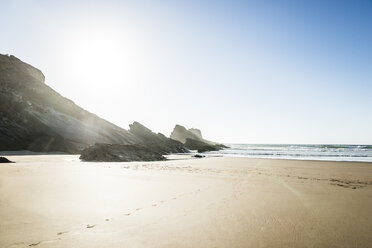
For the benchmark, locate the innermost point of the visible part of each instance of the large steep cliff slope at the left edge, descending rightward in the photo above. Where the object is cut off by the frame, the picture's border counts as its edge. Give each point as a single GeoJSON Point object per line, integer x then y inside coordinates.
{"type": "Point", "coordinates": [35, 117]}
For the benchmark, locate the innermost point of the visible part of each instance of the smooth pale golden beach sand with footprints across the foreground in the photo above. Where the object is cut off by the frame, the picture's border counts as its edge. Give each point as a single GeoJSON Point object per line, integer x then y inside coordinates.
{"type": "Point", "coordinates": [58, 201]}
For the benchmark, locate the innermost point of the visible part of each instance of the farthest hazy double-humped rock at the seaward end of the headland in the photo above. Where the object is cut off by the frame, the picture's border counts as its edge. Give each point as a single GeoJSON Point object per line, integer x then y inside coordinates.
{"type": "Point", "coordinates": [193, 139]}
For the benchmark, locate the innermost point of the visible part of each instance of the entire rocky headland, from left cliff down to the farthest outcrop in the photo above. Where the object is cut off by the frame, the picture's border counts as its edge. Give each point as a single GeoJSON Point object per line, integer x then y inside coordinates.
{"type": "Point", "coordinates": [35, 117]}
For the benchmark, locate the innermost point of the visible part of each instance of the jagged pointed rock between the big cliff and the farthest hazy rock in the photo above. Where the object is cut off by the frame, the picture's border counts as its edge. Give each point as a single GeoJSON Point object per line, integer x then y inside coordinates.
{"type": "Point", "coordinates": [156, 142]}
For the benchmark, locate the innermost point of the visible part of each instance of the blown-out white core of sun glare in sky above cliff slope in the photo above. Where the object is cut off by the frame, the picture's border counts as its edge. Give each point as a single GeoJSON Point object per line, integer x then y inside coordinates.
{"type": "Point", "coordinates": [104, 56]}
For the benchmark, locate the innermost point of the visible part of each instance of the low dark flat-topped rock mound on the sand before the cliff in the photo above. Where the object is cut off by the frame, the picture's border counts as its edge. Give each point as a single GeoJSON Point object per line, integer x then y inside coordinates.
{"type": "Point", "coordinates": [119, 153]}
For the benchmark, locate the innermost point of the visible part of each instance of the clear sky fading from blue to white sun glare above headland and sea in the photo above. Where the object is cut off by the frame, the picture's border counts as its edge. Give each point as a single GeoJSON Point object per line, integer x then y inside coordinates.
{"type": "Point", "coordinates": [241, 71]}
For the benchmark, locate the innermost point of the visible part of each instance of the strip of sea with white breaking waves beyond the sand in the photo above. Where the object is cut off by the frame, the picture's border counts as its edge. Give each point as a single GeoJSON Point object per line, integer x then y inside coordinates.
{"type": "Point", "coordinates": [359, 153]}
